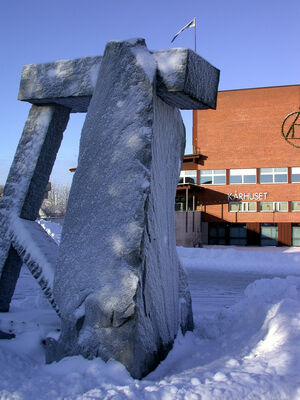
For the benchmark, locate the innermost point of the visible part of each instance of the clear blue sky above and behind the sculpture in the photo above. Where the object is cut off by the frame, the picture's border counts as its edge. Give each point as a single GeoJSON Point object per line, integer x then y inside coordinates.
{"type": "Point", "coordinates": [253, 42]}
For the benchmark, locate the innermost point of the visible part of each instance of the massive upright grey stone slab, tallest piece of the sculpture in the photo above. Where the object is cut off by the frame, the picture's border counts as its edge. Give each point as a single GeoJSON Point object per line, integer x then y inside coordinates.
{"type": "Point", "coordinates": [119, 285]}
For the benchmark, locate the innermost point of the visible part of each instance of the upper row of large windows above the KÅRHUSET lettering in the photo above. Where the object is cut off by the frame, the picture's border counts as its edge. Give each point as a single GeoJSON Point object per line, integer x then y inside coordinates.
{"type": "Point", "coordinates": [241, 176]}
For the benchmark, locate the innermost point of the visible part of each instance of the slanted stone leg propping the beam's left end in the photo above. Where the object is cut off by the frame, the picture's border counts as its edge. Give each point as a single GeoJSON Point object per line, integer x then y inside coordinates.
{"type": "Point", "coordinates": [26, 183]}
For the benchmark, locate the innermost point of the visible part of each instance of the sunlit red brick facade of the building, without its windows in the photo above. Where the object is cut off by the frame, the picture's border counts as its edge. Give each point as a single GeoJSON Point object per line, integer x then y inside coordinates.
{"type": "Point", "coordinates": [245, 132]}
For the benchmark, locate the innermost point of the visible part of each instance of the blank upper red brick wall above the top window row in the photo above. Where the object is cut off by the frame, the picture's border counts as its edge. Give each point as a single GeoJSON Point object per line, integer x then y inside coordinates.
{"type": "Point", "coordinates": [245, 130]}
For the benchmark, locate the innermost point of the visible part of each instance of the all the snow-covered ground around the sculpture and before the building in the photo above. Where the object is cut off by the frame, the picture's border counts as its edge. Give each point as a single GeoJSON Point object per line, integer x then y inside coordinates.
{"type": "Point", "coordinates": [246, 342]}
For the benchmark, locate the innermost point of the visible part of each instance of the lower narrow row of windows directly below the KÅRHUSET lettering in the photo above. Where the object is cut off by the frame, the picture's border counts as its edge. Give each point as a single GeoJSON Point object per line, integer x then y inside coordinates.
{"type": "Point", "coordinates": [264, 206]}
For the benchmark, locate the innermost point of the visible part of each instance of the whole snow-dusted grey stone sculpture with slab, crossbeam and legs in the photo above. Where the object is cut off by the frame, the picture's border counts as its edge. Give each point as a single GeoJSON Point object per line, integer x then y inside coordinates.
{"type": "Point", "coordinates": [119, 287]}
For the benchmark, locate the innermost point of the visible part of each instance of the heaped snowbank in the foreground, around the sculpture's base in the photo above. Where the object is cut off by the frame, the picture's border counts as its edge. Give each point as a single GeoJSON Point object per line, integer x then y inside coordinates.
{"type": "Point", "coordinates": [249, 351]}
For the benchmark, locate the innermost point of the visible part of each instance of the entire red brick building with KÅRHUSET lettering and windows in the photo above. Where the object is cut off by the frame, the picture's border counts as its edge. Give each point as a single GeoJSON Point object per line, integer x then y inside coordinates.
{"type": "Point", "coordinates": [244, 175]}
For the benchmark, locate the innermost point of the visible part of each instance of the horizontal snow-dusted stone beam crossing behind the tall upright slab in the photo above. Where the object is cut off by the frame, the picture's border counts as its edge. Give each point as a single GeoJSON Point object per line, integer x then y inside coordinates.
{"type": "Point", "coordinates": [184, 80]}
